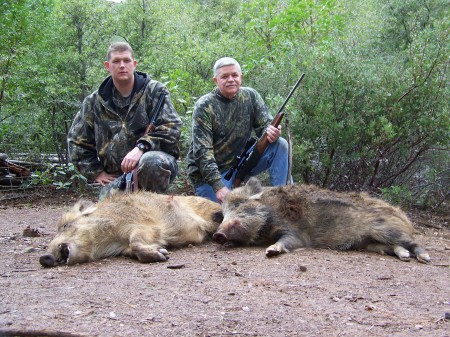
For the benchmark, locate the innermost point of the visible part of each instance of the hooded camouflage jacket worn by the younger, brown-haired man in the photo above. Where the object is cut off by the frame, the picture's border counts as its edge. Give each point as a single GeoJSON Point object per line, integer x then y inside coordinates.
{"type": "Point", "coordinates": [101, 135]}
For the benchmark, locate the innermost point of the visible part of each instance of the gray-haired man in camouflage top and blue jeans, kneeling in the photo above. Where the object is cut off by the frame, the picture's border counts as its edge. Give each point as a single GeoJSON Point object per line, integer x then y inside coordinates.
{"type": "Point", "coordinates": [223, 121]}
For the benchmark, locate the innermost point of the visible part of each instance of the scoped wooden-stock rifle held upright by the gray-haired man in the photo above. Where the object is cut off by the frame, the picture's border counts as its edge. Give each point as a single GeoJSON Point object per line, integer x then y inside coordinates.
{"type": "Point", "coordinates": [254, 149]}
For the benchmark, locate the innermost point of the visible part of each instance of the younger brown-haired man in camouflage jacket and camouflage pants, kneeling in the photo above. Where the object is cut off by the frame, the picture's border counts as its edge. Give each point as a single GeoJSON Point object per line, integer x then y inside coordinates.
{"type": "Point", "coordinates": [109, 137]}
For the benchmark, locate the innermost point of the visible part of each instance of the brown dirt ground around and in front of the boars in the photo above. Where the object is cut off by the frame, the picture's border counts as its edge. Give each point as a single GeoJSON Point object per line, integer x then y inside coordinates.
{"type": "Point", "coordinates": [210, 290]}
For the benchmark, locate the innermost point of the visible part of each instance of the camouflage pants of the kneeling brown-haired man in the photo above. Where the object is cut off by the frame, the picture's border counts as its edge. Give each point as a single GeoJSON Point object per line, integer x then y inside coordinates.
{"type": "Point", "coordinates": [156, 170]}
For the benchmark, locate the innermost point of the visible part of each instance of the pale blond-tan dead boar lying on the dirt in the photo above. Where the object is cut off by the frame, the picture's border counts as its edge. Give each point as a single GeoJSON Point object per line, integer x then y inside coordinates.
{"type": "Point", "coordinates": [138, 225]}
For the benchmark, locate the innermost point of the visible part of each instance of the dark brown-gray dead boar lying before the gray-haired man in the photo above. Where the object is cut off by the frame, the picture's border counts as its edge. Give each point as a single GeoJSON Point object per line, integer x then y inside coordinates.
{"type": "Point", "coordinates": [297, 216]}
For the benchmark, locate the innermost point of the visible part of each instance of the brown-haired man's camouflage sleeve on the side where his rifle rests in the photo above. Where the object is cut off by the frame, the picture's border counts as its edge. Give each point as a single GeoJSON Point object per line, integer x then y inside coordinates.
{"type": "Point", "coordinates": [166, 135]}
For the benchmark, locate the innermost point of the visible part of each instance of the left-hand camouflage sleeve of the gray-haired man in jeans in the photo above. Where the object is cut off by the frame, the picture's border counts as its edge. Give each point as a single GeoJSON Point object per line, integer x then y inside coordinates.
{"type": "Point", "coordinates": [203, 147]}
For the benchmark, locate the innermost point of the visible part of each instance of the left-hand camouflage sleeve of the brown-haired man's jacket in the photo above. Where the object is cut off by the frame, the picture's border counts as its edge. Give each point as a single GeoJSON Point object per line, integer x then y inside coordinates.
{"type": "Point", "coordinates": [81, 142]}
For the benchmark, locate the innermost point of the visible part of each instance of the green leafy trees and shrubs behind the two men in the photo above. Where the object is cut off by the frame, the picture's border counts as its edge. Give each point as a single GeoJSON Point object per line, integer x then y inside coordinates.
{"type": "Point", "coordinates": [371, 114]}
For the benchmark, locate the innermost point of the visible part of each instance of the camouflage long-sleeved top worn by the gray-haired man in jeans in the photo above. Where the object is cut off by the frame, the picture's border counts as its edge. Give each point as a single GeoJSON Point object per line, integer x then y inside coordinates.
{"type": "Point", "coordinates": [220, 130]}
